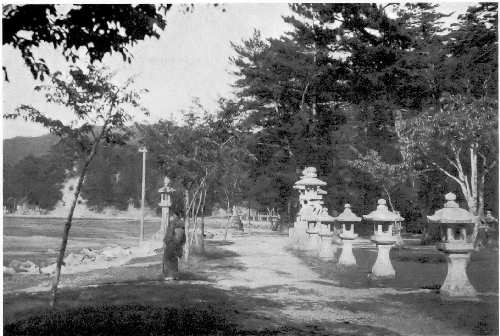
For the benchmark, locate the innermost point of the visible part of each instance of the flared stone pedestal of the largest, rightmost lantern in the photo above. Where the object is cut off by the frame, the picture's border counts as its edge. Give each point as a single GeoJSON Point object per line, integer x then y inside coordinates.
{"type": "Point", "coordinates": [457, 286]}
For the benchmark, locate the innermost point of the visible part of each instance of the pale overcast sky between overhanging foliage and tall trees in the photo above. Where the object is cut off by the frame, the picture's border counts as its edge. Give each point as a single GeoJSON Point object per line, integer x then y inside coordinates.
{"type": "Point", "coordinates": [191, 59]}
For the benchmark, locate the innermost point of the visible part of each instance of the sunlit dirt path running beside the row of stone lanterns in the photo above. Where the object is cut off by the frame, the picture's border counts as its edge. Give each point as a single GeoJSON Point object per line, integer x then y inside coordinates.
{"type": "Point", "coordinates": [268, 270]}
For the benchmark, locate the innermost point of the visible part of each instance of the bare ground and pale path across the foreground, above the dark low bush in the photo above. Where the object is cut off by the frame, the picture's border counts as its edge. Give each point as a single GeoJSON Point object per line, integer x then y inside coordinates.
{"type": "Point", "coordinates": [259, 284]}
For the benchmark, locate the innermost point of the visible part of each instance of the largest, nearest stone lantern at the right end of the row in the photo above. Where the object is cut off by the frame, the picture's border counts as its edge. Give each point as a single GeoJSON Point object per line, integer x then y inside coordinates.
{"type": "Point", "coordinates": [457, 245]}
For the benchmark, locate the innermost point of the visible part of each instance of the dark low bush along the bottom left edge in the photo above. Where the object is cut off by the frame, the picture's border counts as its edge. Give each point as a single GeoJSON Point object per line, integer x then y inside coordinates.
{"type": "Point", "coordinates": [124, 320]}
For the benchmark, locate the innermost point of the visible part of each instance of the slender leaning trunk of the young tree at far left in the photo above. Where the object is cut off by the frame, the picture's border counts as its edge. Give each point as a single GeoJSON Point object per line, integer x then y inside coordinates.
{"type": "Point", "coordinates": [67, 225]}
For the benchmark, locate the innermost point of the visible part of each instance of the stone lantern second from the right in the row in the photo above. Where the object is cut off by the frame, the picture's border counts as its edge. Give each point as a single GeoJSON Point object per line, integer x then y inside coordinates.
{"type": "Point", "coordinates": [383, 237]}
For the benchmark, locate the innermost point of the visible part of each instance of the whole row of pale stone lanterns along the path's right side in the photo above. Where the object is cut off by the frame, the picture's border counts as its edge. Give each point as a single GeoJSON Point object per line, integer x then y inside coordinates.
{"type": "Point", "coordinates": [313, 230]}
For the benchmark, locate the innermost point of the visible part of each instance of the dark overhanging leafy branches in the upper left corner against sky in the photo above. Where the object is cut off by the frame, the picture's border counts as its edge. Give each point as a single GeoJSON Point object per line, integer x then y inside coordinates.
{"type": "Point", "coordinates": [99, 29]}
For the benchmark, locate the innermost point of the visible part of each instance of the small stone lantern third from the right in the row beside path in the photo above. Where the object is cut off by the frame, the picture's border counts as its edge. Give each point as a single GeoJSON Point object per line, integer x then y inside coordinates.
{"type": "Point", "coordinates": [348, 219]}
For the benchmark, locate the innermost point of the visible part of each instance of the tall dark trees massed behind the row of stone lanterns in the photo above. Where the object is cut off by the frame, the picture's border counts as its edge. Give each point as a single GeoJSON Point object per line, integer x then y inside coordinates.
{"type": "Point", "coordinates": [349, 87]}
